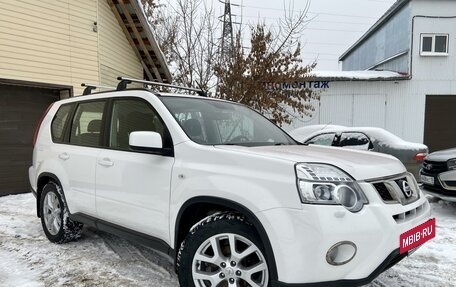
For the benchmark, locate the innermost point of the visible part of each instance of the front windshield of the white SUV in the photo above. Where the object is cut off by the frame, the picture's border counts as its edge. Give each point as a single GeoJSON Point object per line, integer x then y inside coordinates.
{"type": "Point", "coordinates": [212, 122]}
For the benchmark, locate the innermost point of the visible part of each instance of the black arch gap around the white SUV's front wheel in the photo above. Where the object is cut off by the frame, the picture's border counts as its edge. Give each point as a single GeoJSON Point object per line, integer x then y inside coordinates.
{"type": "Point", "coordinates": [197, 208]}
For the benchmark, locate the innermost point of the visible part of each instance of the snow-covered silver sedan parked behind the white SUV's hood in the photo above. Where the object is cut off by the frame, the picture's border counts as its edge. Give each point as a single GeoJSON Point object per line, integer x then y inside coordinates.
{"type": "Point", "coordinates": [368, 138]}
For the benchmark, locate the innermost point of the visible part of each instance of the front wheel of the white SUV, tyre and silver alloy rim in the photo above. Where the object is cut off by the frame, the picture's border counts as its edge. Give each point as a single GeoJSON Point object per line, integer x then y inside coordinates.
{"type": "Point", "coordinates": [222, 250]}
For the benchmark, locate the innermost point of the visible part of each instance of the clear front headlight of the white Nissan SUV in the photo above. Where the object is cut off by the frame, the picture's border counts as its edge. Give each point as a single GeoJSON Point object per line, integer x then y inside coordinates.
{"type": "Point", "coordinates": [326, 184]}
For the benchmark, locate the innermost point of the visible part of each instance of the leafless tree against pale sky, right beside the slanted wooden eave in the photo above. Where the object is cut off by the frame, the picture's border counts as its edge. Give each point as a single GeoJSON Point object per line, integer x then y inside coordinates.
{"type": "Point", "coordinates": [187, 33]}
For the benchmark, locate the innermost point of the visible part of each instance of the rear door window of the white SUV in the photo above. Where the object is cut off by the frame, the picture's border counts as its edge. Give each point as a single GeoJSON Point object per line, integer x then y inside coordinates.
{"type": "Point", "coordinates": [87, 124]}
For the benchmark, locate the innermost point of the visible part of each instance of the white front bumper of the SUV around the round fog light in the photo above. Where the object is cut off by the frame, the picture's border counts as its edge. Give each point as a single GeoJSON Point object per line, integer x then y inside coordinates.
{"type": "Point", "coordinates": [301, 239]}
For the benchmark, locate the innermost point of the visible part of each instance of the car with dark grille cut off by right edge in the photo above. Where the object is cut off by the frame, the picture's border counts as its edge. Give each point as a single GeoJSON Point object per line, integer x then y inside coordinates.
{"type": "Point", "coordinates": [438, 174]}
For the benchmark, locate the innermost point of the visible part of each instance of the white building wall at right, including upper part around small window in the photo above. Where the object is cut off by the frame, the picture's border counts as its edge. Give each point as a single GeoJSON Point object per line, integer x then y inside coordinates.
{"type": "Point", "coordinates": [398, 106]}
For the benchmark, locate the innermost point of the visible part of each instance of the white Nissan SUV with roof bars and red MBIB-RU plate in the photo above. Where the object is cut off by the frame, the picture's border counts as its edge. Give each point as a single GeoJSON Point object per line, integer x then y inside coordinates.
{"type": "Point", "coordinates": [224, 192]}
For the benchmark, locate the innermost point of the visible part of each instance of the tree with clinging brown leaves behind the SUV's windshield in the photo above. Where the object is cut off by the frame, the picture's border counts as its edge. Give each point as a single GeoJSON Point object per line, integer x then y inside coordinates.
{"type": "Point", "coordinates": [269, 76]}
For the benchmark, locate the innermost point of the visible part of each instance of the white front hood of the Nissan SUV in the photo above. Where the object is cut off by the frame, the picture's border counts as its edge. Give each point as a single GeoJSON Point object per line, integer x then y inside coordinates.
{"type": "Point", "coordinates": [359, 164]}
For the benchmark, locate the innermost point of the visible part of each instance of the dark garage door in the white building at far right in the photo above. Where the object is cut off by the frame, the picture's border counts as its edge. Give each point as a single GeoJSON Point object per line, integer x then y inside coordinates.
{"type": "Point", "coordinates": [440, 122]}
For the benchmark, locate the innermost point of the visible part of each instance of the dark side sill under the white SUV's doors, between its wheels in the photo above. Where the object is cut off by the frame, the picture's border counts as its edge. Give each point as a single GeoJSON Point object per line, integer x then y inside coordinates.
{"type": "Point", "coordinates": [126, 233]}
